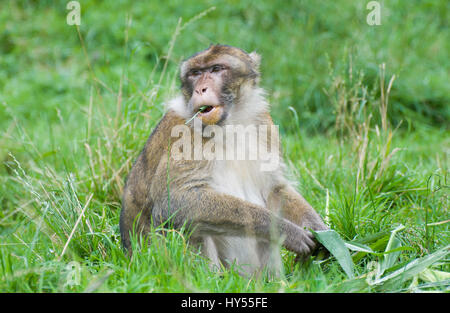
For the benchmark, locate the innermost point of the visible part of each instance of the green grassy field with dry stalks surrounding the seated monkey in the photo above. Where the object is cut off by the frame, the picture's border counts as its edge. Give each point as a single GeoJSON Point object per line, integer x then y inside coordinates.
{"type": "Point", "coordinates": [364, 113]}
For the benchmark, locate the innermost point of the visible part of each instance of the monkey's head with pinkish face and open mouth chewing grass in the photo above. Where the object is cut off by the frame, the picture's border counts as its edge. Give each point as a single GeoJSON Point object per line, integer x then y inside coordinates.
{"type": "Point", "coordinates": [216, 79]}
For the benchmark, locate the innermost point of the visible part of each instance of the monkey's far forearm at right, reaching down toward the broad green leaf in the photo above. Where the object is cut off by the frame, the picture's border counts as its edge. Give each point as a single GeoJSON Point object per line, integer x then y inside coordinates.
{"type": "Point", "coordinates": [294, 207]}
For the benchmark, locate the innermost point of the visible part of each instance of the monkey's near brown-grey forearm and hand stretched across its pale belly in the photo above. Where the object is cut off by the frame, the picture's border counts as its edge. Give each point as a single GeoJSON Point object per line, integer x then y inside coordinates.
{"type": "Point", "coordinates": [213, 213]}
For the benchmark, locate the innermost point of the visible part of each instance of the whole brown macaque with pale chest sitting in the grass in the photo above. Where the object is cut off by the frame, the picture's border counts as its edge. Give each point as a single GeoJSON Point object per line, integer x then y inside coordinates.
{"type": "Point", "coordinates": [239, 210]}
